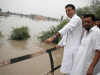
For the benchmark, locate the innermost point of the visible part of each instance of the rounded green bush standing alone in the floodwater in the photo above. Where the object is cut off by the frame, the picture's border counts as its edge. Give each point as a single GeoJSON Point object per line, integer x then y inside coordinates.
{"type": "Point", "coordinates": [20, 33]}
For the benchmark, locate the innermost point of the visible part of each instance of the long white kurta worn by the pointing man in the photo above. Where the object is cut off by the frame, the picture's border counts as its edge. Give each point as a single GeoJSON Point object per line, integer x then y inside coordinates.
{"type": "Point", "coordinates": [71, 41]}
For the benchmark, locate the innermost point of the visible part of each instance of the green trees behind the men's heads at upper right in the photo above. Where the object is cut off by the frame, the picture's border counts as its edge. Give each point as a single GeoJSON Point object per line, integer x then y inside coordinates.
{"type": "Point", "coordinates": [93, 8]}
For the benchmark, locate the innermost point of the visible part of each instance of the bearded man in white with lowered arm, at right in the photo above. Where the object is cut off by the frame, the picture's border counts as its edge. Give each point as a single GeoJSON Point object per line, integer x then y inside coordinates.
{"type": "Point", "coordinates": [89, 51]}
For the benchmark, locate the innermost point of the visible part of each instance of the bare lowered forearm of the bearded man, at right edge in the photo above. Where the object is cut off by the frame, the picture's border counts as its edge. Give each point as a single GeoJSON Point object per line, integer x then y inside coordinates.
{"type": "Point", "coordinates": [94, 62]}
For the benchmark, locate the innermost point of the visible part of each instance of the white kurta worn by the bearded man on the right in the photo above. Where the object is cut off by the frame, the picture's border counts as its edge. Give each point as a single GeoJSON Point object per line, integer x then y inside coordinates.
{"type": "Point", "coordinates": [86, 52]}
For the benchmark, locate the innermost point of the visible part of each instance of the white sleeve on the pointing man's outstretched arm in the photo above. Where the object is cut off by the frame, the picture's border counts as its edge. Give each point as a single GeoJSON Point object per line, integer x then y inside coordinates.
{"type": "Point", "coordinates": [69, 26]}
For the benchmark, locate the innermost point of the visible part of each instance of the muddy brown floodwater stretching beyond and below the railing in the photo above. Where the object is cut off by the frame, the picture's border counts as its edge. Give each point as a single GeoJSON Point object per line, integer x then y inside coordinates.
{"type": "Point", "coordinates": [11, 49]}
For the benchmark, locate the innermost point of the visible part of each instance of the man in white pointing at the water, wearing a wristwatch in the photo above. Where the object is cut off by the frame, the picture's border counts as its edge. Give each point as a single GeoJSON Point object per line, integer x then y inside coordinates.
{"type": "Point", "coordinates": [72, 33]}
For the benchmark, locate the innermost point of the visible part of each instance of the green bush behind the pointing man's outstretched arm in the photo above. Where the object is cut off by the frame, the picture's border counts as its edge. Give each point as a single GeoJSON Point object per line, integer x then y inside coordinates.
{"type": "Point", "coordinates": [53, 30]}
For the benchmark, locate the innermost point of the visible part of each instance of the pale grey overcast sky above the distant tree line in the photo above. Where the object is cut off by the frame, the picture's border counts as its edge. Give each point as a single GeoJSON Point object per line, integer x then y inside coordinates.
{"type": "Point", "coordinates": [49, 8]}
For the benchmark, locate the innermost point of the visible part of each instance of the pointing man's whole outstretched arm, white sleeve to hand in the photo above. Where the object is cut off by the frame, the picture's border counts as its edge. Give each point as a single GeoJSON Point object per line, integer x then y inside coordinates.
{"type": "Point", "coordinates": [70, 26]}
